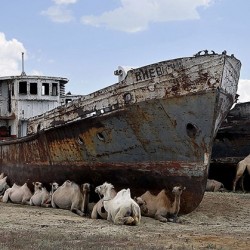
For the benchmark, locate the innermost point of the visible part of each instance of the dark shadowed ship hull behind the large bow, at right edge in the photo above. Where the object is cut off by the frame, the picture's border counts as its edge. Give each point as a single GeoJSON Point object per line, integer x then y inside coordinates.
{"type": "Point", "coordinates": [231, 145]}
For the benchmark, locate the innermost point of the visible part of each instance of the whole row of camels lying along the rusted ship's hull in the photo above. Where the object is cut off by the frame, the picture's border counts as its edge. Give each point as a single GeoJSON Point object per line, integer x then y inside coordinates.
{"type": "Point", "coordinates": [116, 207]}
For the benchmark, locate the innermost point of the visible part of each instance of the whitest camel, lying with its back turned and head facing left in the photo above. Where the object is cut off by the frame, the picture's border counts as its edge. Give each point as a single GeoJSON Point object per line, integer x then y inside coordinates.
{"type": "Point", "coordinates": [121, 209]}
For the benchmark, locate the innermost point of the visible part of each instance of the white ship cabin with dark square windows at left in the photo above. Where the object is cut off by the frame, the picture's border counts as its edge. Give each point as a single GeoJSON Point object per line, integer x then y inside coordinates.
{"type": "Point", "coordinates": [22, 97]}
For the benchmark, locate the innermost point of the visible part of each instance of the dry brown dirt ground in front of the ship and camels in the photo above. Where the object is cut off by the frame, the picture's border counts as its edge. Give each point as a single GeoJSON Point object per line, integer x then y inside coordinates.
{"type": "Point", "coordinates": [222, 221]}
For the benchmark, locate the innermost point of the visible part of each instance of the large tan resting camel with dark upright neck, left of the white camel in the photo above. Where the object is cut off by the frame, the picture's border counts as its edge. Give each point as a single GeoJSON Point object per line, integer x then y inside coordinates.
{"type": "Point", "coordinates": [70, 196]}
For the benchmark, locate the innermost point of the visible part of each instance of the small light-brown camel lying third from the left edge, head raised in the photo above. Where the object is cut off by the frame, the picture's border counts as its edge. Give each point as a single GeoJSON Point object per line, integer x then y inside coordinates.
{"type": "Point", "coordinates": [41, 196]}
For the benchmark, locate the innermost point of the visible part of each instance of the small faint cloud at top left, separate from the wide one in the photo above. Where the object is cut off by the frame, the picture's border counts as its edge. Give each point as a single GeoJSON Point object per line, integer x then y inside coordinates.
{"type": "Point", "coordinates": [59, 14]}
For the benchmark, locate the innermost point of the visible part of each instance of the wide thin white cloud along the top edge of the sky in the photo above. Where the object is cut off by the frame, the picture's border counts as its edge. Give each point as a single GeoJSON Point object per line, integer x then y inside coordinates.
{"type": "Point", "coordinates": [136, 15]}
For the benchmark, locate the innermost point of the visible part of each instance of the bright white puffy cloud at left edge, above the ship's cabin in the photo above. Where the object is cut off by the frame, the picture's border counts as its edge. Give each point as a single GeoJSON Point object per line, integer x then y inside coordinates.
{"type": "Point", "coordinates": [10, 56]}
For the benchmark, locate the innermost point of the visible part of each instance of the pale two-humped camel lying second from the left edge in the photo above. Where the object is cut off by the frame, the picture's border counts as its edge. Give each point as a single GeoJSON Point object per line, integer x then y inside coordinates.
{"type": "Point", "coordinates": [18, 194]}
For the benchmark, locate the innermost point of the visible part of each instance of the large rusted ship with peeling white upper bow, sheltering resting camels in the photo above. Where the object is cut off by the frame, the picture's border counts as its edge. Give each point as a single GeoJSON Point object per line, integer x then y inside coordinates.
{"type": "Point", "coordinates": [151, 130]}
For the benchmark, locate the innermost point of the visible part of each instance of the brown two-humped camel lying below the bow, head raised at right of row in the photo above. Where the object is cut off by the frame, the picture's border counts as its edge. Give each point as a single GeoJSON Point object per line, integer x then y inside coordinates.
{"type": "Point", "coordinates": [159, 206]}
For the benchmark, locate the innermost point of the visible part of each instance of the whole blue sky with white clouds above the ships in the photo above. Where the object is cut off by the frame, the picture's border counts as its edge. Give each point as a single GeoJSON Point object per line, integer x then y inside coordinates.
{"type": "Point", "coordinates": [86, 40]}
